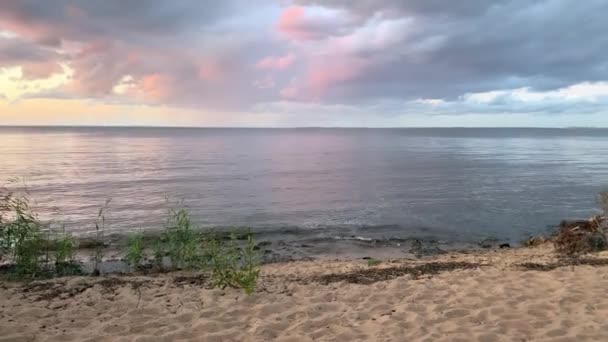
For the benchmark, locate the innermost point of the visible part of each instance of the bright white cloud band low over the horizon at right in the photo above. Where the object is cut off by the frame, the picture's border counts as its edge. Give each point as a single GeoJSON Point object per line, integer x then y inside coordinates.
{"type": "Point", "coordinates": [579, 99]}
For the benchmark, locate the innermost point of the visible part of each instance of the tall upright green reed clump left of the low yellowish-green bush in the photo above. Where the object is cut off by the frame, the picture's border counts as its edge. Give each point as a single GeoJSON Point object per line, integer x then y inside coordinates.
{"type": "Point", "coordinates": [181, 241]}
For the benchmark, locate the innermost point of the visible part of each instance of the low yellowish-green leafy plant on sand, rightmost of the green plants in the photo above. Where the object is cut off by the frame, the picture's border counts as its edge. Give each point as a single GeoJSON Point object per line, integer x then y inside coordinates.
{"type": "Point", "coordinates": [232, 266]}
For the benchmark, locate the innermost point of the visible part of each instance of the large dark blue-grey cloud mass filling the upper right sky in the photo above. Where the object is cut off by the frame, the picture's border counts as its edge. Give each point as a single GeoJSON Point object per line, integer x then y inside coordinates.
{"type": "Point", "coordinates": [482, 45]}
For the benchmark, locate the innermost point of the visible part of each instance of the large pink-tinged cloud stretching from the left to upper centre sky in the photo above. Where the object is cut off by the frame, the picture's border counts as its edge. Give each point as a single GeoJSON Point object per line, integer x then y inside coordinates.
{"type": "Point", "coordinates": [160, 68]}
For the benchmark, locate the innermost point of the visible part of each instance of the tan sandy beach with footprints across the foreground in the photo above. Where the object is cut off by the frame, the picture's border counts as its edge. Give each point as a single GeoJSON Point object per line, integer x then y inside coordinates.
{"type": "Point", "coordinates": [317, 301]}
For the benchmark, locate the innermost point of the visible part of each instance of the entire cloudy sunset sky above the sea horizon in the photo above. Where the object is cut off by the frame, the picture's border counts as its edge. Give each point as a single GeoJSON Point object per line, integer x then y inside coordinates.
{"type": "Point", "coordinates": [292, 63]}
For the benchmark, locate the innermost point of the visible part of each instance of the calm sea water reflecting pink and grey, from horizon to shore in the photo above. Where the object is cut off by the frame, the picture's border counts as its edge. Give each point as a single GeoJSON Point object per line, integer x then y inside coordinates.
{"type": "Point", "coordinates": [449, 184]}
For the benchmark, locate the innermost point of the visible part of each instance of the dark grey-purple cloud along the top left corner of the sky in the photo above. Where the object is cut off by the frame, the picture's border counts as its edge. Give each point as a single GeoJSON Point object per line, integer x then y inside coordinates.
{"type": "Point", "coordinates": [98, 18]}
